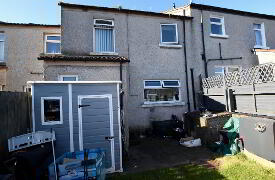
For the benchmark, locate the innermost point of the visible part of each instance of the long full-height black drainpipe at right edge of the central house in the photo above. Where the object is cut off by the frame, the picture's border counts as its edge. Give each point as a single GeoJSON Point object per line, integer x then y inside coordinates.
{"type": "Point", "coordinates": [185, 63]}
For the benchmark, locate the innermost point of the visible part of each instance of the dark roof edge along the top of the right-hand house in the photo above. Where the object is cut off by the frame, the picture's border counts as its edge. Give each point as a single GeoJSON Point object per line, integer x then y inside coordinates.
{"type": "Point", "coordinates": [232, 11]}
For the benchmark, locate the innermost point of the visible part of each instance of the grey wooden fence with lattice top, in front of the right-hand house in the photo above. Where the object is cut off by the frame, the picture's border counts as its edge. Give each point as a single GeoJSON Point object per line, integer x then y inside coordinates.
{"type": "Point", "coordinates": [249, 91]}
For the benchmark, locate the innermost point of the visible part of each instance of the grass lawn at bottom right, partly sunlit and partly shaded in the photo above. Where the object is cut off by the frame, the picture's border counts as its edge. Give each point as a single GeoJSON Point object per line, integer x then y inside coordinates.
{"type": "Point", "coordinates": [231, 167]}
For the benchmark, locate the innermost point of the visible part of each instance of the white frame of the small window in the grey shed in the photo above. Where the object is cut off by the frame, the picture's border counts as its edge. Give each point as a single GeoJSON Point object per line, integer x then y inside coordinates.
{"type": "Point", "coordinates": [43, 111]}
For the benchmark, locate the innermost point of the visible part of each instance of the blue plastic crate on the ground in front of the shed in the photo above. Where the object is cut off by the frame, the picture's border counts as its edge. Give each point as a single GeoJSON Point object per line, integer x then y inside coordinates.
{"type": "Point", "coordinates": [69, 165]}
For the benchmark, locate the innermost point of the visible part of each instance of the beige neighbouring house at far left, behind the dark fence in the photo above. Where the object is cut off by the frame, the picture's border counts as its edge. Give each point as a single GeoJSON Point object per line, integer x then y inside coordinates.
{"type": "Point", "coordinates": [20, 45]}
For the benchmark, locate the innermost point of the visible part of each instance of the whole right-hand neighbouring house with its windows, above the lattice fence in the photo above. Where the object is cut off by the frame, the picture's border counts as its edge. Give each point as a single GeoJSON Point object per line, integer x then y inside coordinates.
{"type": "Point", "coordinates": [225, 40]}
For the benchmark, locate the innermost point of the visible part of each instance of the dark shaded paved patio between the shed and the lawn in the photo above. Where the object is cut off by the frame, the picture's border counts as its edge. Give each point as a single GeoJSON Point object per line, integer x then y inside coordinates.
{"type": "Point", "coordinates": [153, 153]}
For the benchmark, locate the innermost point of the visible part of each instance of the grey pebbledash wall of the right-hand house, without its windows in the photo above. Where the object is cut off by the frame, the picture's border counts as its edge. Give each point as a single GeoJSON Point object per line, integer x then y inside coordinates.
{"type": "Point", "coordinates": [239, 43]}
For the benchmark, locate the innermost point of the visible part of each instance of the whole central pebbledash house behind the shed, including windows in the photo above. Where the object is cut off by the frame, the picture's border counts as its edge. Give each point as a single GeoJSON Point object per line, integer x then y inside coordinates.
{"type": "Point", "coordinates": [144, 50]}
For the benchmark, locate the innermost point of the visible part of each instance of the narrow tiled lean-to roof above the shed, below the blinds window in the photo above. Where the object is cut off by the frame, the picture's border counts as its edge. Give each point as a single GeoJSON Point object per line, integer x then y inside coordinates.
{"type": "Point", "coordinates": [95, 58]}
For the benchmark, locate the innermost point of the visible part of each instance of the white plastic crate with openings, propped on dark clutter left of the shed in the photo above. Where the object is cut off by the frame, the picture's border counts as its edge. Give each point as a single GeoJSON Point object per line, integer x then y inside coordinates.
{"type": "Point", "coordinates": [30, 139]}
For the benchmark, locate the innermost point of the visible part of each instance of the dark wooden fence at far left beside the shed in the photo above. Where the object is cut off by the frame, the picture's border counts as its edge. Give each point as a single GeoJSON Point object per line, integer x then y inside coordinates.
{"type": "Point", "coordinates": [15, 117]}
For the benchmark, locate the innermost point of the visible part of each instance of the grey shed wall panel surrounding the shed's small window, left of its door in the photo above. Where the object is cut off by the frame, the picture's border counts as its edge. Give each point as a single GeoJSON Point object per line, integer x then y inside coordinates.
{"type": "Point", "coordinates": [62, 131]}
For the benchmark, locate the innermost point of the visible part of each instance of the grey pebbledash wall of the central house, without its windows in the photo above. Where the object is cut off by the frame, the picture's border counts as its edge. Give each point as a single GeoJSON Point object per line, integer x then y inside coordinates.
{"type": "Point", "coordinates": [137, 37]}
